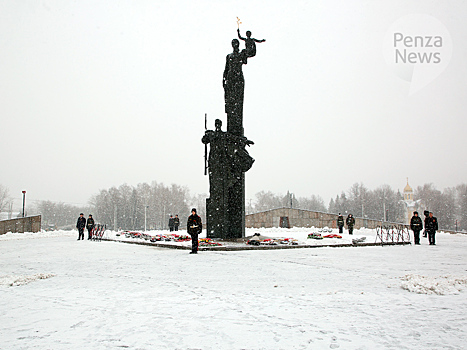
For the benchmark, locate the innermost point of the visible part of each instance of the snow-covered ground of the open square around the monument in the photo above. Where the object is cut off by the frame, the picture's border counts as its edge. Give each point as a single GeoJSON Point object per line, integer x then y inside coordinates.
{"type": "Point", "coordinates": [58, 293]}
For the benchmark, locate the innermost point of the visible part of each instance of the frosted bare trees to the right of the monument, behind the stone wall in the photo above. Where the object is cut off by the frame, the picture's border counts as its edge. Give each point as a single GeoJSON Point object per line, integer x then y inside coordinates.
{"type": "Point", "coordinates": [382, 203]}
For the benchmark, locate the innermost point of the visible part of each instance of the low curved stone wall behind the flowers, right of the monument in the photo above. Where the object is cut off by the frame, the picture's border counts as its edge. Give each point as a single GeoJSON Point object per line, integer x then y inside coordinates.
{"type": "Point", "coordinates": [301, 218]}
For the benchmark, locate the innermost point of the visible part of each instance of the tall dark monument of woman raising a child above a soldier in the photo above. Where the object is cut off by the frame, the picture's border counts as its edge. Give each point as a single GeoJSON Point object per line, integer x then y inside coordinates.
{"type": "Point", "coordinates": [228, 159]}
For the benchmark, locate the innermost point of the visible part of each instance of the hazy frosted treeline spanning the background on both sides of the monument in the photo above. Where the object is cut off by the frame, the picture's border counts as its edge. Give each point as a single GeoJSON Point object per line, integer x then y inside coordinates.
{"type": "Point", "coordinates": [126, 207]}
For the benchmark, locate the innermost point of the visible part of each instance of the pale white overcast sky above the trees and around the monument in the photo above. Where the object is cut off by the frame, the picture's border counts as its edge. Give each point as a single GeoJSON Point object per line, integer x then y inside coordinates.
{"type": "Point", "coordinates": [95, 94]}
